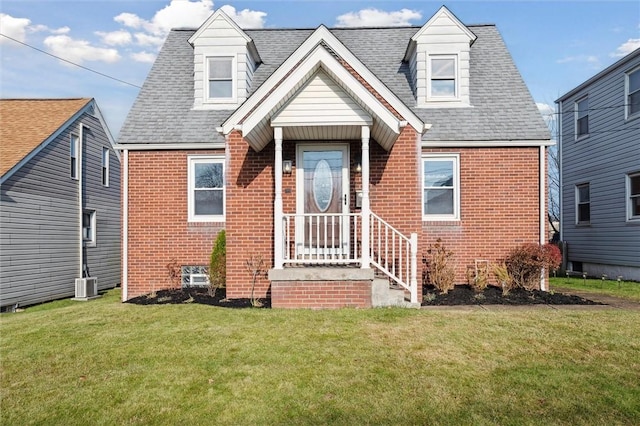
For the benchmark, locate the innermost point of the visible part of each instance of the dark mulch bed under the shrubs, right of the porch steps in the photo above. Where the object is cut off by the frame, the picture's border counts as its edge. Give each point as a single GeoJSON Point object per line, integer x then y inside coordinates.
{"type": "Point", "coordinates": [465, 295]}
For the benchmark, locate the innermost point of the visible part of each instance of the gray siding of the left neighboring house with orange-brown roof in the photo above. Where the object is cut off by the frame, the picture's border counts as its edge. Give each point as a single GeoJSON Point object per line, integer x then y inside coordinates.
{"type": "Point", "coordinates": [39, 222]}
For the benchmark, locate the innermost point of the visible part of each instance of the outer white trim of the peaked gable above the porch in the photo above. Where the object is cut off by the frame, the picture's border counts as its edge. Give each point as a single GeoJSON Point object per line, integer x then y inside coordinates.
{"type": "Point", "coordinates": [321, 34]}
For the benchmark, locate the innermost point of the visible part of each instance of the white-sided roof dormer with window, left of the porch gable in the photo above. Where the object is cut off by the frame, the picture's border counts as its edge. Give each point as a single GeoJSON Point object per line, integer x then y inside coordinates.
{"type": "Point", "coordinates": [224, 59]}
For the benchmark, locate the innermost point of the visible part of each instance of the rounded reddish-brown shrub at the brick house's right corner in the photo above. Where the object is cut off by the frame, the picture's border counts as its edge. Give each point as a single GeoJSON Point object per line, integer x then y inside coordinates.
{"type": "Point", "coordinates": [525, 263]}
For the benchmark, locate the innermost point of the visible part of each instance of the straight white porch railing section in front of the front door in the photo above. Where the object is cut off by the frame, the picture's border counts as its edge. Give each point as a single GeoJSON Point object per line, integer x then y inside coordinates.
{"type": "Point", "coordinates": [320, 238]}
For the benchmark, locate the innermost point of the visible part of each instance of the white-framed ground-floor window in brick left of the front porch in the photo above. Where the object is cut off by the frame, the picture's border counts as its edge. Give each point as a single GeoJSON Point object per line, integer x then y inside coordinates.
{"type": "Point", "coordinates": [206, 189]}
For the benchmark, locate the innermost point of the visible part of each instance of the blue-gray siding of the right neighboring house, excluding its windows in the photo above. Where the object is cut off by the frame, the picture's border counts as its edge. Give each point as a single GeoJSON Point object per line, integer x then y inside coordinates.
{"type": "Point", "coordinates": [603, 159]}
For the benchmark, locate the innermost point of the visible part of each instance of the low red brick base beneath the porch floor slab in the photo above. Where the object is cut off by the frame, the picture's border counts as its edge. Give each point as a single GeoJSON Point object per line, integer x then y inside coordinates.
{"type": "Point", "coordinates": [321, 294]}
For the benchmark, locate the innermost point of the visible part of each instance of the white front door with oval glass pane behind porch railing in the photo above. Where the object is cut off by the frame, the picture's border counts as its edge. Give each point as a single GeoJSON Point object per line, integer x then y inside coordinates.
{"type": "Point", "coordinates": [322, 188]}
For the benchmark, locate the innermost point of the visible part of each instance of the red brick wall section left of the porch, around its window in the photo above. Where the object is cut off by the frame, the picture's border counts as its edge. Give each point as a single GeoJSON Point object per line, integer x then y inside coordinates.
{"type": "Point", "coordinates": [158, 228]}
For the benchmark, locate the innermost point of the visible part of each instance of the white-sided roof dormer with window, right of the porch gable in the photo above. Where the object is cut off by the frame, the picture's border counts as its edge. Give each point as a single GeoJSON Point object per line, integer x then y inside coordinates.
{"type": "Point", "coordinates": [438, 57]}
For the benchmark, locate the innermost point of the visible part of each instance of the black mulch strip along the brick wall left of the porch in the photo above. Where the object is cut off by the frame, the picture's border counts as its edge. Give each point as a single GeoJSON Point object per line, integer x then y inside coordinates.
{"type": "Point", "coordinates": [195, 295]}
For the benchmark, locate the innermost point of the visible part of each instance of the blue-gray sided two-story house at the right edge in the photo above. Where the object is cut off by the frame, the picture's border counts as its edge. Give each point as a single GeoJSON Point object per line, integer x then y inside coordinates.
{"type": "Point", "coordinates": [599, 143]}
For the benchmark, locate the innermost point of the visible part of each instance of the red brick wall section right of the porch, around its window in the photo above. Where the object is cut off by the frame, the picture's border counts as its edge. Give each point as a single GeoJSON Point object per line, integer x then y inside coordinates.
{"type": "Point", "coordinates": [499, 206]}
